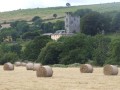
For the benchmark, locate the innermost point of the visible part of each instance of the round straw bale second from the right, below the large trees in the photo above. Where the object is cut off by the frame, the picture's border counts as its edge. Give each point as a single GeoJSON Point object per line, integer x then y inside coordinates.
{"type": "Point", "coordinates": [86, 68]}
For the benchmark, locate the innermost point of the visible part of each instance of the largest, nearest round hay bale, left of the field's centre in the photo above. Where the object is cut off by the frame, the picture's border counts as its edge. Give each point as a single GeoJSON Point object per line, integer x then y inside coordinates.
{"type": "Point", "coordinates": [44, 71]}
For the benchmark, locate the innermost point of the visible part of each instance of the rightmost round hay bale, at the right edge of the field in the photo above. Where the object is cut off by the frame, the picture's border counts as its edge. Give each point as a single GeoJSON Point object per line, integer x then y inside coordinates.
{"type": "Point", "coordinates": [110, 70]}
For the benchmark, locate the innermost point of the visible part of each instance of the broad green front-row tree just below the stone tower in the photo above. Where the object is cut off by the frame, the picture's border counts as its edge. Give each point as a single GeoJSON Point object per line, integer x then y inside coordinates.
{"type": "Point", "coordinates": [76, 49]}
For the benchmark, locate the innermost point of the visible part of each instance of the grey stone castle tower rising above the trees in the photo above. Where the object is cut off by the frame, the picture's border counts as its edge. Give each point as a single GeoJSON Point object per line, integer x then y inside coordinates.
{"type": "Point", "coordinates": [72, 23]}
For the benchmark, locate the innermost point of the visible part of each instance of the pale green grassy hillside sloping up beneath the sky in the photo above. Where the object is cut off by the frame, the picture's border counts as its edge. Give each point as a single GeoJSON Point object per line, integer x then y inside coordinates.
{"type": "Point", "coordinates": [27, 14]}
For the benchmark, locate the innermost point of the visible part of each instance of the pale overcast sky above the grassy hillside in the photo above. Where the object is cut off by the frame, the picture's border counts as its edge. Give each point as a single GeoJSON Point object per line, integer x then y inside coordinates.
{"type": "Point", "coordinates": [9, 5]}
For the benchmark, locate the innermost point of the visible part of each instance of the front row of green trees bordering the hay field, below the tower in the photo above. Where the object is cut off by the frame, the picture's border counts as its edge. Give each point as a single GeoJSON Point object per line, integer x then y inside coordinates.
{"type": "Point", "coordinates": [80, 48]}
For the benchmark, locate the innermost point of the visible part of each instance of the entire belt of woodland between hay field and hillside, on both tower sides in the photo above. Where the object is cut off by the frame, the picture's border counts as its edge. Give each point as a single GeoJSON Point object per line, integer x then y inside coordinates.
{"type": "Point", "coordinates": [89, 46]}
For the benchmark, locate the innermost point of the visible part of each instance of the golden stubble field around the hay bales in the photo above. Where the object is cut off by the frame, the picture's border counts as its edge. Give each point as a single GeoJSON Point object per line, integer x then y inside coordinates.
{"type": "Point", "coordinates": [63, 79]}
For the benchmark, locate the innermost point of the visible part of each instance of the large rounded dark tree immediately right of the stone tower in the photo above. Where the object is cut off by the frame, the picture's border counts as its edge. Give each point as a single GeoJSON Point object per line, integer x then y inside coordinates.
{"type": "Point", "coordinates": [94, 23]}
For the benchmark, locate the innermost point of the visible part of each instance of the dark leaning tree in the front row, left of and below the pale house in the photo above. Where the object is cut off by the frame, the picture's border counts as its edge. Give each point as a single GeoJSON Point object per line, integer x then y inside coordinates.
{"type": "Point", "coordinates": [33, 48]}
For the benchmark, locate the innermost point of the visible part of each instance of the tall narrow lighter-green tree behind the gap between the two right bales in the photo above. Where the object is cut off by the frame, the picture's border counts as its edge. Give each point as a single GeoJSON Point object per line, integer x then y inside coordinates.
{"type": "Point", "coordinates": [101, 49]}
